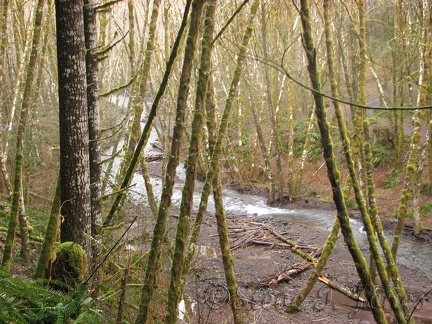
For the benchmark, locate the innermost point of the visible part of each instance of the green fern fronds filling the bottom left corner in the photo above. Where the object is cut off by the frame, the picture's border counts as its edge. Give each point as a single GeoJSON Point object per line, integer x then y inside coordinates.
{"type": "Point", "coordinates": [29, 301]}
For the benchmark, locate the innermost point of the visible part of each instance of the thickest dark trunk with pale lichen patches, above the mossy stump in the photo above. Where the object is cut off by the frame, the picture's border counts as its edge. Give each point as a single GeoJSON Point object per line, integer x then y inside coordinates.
{"type": "Point", "coordinates": [73, 116]}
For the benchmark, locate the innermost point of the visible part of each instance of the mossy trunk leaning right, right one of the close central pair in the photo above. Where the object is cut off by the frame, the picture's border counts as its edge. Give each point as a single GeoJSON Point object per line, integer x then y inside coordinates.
{"type": "Point", "coordinates": [195, 145]}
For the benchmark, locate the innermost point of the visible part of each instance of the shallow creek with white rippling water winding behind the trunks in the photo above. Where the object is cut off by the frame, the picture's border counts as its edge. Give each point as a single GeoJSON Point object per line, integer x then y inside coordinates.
{"type": "Point", "coordinates": [413, 254]}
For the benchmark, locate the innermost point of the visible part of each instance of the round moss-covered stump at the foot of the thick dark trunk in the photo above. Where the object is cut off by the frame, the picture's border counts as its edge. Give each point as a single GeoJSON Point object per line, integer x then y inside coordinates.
{"type": "Point", "coordinates": [70, 264]}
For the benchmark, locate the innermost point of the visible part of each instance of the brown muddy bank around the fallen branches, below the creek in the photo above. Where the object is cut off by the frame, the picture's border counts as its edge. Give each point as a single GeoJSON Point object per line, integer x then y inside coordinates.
{"type": "Point", "coordinates": [255, 263]}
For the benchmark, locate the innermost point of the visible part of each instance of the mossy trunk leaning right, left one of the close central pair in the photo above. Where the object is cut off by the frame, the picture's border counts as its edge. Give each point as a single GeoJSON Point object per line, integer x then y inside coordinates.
{"type": "Point", "coordinates": [165, 203]}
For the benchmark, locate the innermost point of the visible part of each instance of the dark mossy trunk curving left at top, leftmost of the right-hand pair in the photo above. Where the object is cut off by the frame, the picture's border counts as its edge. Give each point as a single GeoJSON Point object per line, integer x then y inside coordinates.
{"type": "Point", "coordinates": [332, 171]}
